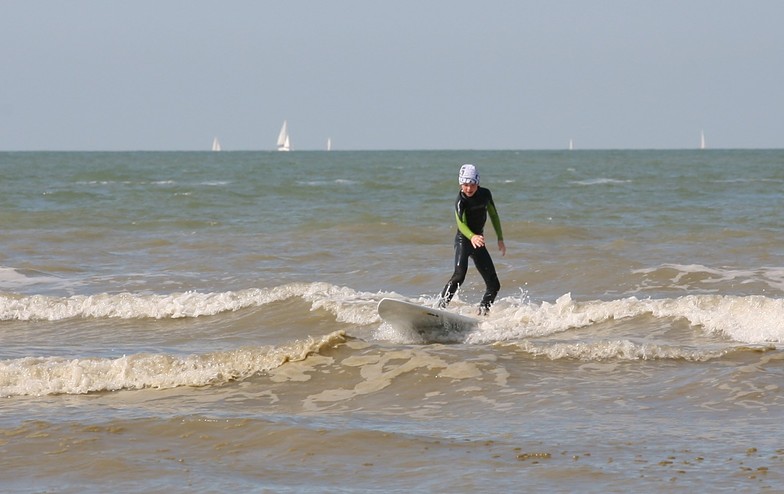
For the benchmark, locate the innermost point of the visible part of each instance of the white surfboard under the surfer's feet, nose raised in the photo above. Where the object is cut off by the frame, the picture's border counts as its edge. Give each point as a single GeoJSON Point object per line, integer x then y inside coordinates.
{"type": "Point", "coordinates": [407, 316]}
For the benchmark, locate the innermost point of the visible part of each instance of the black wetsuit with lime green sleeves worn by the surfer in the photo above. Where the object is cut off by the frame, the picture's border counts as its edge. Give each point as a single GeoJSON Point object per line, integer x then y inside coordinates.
{"type": "Point", "coordinates": [471, 215]}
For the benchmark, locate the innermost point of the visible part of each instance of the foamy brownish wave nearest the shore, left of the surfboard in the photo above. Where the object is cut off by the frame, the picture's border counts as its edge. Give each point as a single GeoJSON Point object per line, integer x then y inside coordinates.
{"type": "Point", "coordinates": [53, 375]}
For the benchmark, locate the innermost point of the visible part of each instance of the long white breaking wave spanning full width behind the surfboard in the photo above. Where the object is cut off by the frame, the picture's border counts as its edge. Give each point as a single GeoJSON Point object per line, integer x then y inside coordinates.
{"type": "Point", "coordinates": [753, 319]}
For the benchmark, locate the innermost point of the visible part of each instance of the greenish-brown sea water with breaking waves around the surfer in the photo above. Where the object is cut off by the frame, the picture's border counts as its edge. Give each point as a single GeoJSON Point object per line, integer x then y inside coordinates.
{"type": "Point", "coordinates": [206, 321]}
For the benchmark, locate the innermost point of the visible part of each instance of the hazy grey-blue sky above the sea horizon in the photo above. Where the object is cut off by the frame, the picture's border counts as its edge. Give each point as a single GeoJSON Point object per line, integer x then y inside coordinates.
{"type": "Point", "coordinates": [397, 74]}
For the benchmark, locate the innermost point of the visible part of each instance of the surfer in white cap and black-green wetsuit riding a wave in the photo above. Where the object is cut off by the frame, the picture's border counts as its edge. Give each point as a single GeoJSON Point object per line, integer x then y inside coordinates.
{"type": "Point", "coordinates": [473, 205]}
